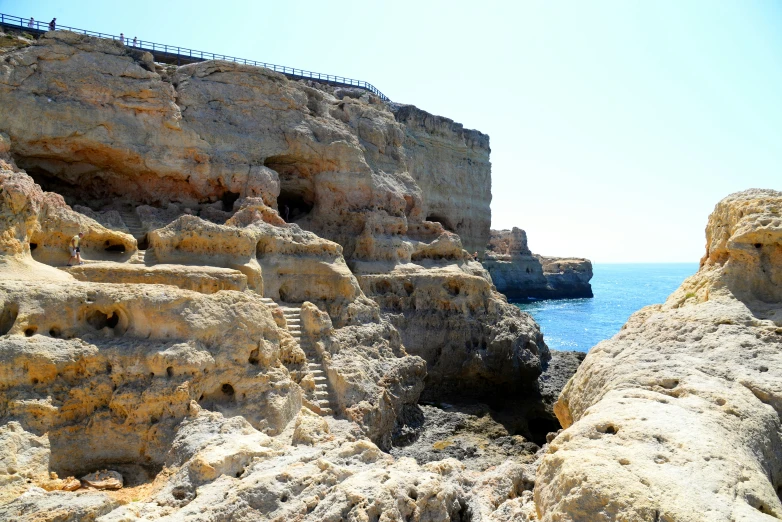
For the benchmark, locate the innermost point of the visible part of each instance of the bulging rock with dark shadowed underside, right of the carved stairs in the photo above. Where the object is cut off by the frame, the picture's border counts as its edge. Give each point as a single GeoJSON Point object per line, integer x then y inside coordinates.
{"type": "Point", "coordinates": [474, 342]}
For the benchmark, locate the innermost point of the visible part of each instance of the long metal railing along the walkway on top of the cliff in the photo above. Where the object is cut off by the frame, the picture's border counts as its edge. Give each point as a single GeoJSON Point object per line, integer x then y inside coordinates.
{"type": "Point", "coordinates": [191, 55]}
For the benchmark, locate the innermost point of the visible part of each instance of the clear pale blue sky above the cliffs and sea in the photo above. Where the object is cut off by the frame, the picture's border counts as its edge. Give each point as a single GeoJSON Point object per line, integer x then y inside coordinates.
{"type": "Point", "coordinates": [615, 125]}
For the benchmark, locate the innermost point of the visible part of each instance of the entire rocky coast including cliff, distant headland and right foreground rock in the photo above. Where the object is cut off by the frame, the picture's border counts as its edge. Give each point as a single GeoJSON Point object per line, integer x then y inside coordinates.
{"type": "Point", "coordinates": [279, 318]}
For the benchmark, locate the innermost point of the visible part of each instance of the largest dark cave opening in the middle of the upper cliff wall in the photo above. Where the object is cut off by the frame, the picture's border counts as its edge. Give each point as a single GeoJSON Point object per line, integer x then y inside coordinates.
{"type": "Point", "coordinates": [297, 189]}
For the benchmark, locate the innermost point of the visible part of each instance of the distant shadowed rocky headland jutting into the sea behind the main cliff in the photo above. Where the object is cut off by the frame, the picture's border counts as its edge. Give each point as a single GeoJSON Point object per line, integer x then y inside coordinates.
{"type": "Point", "coordinates": [520, 274]}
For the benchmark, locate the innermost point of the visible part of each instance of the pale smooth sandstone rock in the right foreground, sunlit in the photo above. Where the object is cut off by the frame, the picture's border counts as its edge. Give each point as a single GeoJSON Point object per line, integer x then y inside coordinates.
{"type": "Point", "coordinates": [677, 417]}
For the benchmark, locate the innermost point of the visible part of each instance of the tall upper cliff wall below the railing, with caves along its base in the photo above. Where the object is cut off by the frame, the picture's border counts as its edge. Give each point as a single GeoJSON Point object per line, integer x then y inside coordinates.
{"type": "Point", "coordinates": [214, 131]}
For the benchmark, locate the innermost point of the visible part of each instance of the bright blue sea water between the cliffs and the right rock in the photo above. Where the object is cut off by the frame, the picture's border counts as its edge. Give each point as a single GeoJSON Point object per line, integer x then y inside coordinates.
{"type": "Point", "coordinates": [619, 289]}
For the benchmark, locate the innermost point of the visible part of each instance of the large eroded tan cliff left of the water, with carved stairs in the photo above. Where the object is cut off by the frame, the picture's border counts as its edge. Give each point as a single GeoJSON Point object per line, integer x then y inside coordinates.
{"type": "Point", "coordinates": [265, 262]}
